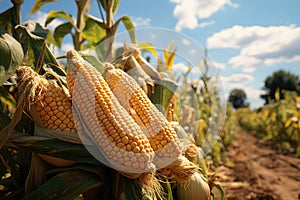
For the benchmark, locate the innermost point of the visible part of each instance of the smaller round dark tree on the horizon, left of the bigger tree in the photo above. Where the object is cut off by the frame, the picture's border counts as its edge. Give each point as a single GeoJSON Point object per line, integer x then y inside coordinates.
{"type": "Point", "coordinates": [237, 98]}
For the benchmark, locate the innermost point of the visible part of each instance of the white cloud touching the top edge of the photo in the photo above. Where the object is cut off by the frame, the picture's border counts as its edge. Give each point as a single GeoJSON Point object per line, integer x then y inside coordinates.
{"type": "Point", "coordinates": [188, 12]}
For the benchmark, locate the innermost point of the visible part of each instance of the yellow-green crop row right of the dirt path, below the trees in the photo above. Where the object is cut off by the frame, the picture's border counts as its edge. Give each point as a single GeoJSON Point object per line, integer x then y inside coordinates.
{"type": "Point", "coordinates": [278, 122]}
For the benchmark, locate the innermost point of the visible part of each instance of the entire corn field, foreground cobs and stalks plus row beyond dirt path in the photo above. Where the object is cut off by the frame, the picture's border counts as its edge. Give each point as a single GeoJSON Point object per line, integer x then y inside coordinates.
{"type": "Point", "coordinates": [117, 123]}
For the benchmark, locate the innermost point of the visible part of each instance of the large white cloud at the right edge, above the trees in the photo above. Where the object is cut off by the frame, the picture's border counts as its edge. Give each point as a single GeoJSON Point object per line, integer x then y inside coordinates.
{"type": "Point", "coordinates": [259, 45]}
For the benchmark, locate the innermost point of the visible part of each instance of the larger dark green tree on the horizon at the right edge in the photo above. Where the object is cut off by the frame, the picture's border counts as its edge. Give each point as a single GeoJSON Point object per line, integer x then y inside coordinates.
{"type": "Point", "coordinates": [280, 80]}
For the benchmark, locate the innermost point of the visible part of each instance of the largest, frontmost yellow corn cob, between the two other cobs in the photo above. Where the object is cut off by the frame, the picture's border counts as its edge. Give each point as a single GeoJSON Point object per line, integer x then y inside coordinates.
{"type": "Point", "coordinates": [101, 116]}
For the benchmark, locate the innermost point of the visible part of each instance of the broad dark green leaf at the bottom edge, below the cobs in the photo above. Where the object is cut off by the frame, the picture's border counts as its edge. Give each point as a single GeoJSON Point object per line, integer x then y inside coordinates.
{"type": "Point", "coordinates": [66, 185]}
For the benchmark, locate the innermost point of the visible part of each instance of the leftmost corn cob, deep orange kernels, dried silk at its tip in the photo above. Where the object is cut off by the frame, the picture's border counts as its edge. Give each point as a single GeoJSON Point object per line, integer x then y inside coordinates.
{"type": "Point", "coordinates": [52, 102]}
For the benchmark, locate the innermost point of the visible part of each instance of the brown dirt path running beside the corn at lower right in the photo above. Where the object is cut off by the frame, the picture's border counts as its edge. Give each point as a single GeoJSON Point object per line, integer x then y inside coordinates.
{"type": "Point", "coordinates": [259, 172]}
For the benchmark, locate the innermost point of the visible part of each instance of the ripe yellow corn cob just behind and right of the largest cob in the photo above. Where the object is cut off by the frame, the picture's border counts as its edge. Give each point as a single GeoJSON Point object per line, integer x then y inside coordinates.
{"type": "Point", "coordinates": [160, 133]}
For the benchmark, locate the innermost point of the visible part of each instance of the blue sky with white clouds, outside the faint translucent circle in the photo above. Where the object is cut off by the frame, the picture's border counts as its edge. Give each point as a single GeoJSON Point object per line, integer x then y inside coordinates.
{"type": "Point", "coordinates": [247, 40]}
